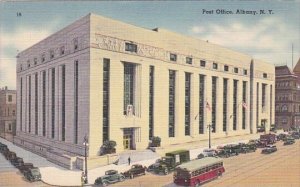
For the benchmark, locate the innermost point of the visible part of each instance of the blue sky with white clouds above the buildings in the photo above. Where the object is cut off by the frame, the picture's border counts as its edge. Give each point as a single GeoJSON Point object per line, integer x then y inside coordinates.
{"type": "Point", "coordinates": [268, 36]}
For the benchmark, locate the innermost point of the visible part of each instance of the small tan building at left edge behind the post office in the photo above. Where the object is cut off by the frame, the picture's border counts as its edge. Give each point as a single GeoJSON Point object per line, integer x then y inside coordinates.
{"type": "Point", "coordinates": [8, 113]}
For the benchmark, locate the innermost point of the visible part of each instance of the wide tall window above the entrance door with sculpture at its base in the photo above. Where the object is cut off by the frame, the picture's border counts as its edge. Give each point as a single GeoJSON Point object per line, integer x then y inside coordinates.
{"type": "Point", "coordinates": [129, 80]}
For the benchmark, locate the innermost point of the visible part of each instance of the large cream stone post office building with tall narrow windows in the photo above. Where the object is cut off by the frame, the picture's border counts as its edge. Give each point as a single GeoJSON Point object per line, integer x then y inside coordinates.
{"type": "Point", "coordinates": [114, 81]}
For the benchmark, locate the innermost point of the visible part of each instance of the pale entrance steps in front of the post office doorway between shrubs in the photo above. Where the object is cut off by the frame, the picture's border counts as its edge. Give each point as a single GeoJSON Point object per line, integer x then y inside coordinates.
{"type": "Point", "coordinates": [136, 156]}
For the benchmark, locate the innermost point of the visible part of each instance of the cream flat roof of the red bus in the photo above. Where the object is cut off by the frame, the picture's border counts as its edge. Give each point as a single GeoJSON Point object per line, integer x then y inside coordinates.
{"type": "Point", "coordinates": [199, 163]}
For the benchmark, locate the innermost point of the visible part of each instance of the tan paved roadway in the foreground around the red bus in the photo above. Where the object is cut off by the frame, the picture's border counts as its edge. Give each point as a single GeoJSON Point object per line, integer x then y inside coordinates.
{"type": "Point", "coordinates": [278, 169]}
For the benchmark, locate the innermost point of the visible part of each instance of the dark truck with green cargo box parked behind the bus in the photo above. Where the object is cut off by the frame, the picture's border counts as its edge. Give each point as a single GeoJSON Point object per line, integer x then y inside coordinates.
{"type": "Point", "coordinates": [171, 160]}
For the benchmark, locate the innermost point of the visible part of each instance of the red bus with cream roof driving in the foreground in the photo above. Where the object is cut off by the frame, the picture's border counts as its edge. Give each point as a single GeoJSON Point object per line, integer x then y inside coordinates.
{"type": "Point", "coordinates": [196, 172]}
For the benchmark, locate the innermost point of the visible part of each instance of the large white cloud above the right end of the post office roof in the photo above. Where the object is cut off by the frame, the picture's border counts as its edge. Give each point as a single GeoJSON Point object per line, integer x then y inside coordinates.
{"type": "Point", "coordinates": [268, 39]}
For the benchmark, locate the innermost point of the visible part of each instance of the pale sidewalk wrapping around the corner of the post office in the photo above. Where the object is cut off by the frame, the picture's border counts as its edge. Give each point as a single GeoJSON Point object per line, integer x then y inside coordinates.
{"type": "Point", "coordinates": [55, 175]}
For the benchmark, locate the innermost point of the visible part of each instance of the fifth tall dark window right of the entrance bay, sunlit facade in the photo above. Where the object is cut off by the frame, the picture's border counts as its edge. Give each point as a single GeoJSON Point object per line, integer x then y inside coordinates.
{"type": "Point", "coordinates": [214, 103]}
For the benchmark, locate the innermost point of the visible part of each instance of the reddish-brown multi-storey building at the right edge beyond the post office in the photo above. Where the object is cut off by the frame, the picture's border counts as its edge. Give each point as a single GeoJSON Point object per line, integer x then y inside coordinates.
{"type": "Point", "coordinates": [287, 102]}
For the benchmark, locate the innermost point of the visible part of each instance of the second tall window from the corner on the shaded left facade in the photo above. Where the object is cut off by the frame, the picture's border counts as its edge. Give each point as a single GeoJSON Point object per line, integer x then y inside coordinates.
{"type": "Point", "coordinates": [63, 102]}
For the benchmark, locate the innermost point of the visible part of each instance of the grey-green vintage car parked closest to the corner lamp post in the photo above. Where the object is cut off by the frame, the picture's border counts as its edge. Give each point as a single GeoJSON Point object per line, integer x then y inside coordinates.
{"type": "Point", "coordinates": [110, 177]}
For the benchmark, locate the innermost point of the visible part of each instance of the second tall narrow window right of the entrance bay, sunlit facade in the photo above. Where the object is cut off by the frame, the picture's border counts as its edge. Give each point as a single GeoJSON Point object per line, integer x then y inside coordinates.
{"type": "Point", "coordinates": [172, 81]}
